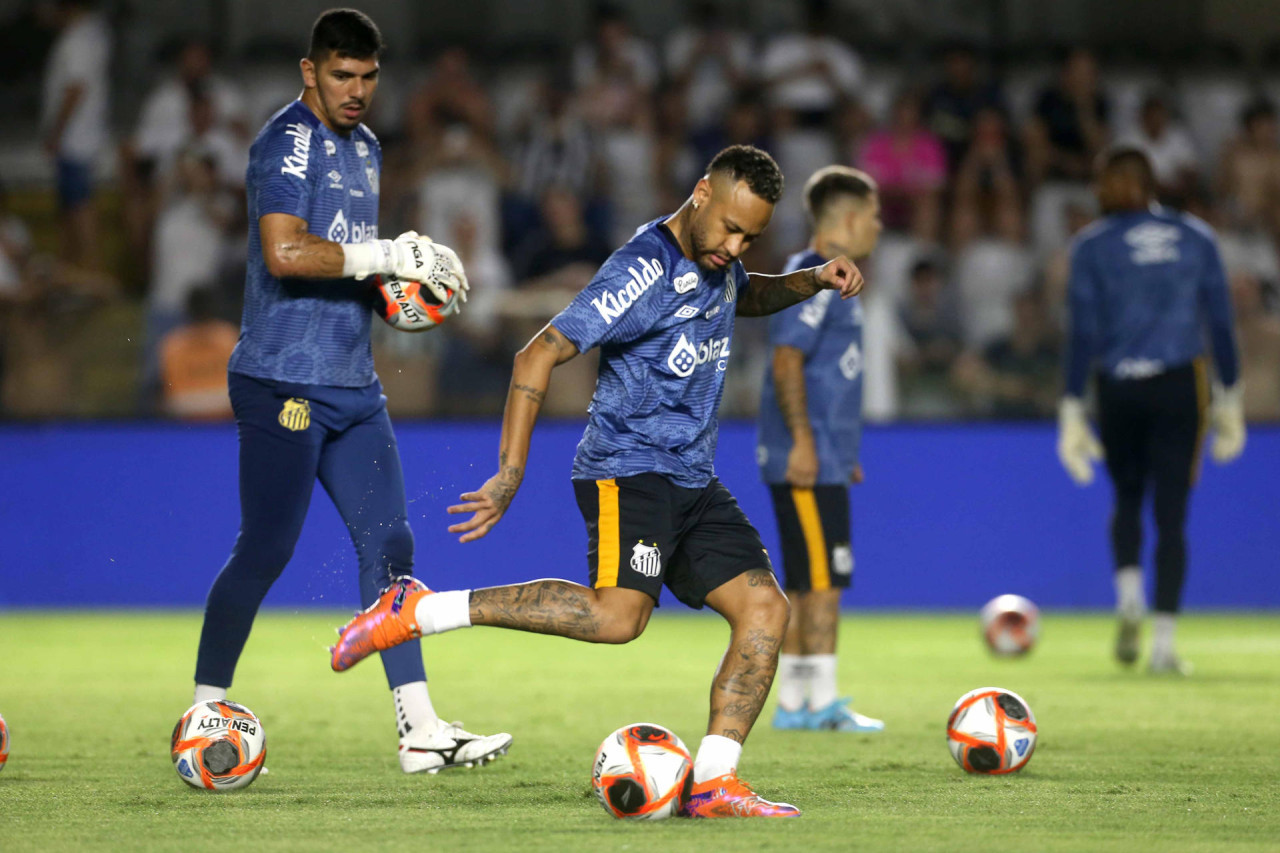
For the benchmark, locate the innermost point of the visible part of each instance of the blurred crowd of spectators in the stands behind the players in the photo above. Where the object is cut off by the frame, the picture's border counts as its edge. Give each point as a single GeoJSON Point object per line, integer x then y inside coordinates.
{"type": "Point", "coordinates": [120, 288]}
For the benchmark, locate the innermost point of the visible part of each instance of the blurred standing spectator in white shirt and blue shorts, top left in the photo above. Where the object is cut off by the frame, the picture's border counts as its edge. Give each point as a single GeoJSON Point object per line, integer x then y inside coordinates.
{"type": "Point", "coordinates": [75, 122]}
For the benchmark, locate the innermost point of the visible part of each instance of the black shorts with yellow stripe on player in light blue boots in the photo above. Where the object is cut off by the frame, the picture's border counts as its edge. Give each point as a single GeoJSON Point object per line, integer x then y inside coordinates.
{"type": "Point", "coordinates": [813, 524]}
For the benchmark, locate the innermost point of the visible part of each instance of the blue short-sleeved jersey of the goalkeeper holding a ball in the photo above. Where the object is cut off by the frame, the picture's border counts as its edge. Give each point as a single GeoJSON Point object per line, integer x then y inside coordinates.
{"type": "Point", "coordinates": [309, 331]}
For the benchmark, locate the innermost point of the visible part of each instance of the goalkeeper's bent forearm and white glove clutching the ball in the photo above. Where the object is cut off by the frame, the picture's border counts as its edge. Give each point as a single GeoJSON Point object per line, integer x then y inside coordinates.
{"type": "Point", "coordinates": [291, 252]}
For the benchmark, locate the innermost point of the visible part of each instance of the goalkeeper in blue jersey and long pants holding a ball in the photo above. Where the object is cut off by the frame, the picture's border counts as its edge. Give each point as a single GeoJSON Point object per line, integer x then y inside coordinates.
{"type": "Point", "coordinates": [303, 385]}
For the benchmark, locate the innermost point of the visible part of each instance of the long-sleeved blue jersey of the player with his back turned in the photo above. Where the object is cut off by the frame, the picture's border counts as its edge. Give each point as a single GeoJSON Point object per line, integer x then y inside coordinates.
{"type": "Point", "coordinates": [1144, 289]}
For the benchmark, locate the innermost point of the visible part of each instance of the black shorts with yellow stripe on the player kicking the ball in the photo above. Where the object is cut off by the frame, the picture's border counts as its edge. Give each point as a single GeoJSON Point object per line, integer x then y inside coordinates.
{"type": "Point", "coordinates": [644, 532]}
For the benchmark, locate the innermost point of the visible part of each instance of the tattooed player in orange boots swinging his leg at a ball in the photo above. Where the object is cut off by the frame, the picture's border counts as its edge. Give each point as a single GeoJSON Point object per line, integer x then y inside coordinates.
{"type": "Point", "coordinates": [662, 312]}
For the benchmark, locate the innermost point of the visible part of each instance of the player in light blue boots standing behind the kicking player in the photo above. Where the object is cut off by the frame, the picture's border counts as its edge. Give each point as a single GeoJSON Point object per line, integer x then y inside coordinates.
{"type": "Point", "coordinates": [810, 436]}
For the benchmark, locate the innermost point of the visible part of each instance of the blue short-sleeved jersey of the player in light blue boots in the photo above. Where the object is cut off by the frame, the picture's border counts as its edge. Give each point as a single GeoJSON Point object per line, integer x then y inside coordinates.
{"type": "Point", "coordinates": [830, 334]}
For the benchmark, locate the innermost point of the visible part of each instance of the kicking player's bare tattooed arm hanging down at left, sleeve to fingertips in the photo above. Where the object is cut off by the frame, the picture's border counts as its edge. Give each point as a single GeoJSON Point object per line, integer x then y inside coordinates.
{"type": "Point", "coordinates": [529, 382]}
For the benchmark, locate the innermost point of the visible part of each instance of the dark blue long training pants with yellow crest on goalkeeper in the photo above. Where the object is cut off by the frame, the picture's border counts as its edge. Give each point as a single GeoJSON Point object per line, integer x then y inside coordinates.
{"type": "Point", "coordinates": [291, 435]}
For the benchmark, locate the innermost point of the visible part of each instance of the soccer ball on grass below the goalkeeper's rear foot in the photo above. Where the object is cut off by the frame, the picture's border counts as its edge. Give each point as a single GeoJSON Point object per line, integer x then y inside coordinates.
{"type": "Point", "coordinates": [218, 746]}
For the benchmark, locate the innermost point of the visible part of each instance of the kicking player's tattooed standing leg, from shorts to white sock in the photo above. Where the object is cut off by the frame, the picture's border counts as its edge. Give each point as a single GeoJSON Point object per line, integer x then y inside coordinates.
{"type": "Point", "coordinates": [757, 613]}
